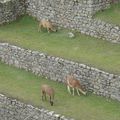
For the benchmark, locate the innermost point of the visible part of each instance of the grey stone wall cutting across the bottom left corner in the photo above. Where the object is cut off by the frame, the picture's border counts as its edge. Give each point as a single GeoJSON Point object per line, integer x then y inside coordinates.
{"type": "Point", "coordinates": [12, 109]}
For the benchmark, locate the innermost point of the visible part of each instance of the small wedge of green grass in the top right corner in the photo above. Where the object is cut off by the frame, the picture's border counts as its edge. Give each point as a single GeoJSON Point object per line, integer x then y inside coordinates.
{"type": "Point", "coordinates": [111, 15]}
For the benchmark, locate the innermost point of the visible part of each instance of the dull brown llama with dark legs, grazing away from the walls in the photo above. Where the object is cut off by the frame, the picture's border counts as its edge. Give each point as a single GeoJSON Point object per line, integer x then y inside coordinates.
{"type": "Point", "coordinates": [49, 91]}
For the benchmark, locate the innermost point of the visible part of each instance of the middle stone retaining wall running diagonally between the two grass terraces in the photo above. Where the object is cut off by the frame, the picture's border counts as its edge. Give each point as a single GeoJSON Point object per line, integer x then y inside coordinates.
{"type": "Point", "coordinates": [54, 68]}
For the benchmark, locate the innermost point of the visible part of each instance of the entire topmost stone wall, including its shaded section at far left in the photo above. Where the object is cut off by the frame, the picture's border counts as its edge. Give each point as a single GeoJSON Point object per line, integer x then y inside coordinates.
{"type": "Point", "coordinates": [72, 14]}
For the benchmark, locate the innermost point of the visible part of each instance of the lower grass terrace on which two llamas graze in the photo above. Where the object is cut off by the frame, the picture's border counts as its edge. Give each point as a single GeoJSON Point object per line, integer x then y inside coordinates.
{"type": "Point", "coordinates": [26, 87]}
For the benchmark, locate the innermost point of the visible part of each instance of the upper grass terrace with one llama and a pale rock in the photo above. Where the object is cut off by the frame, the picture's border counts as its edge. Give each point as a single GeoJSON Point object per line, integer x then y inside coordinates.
{"type": "Point", "coordinates": [84, 49]}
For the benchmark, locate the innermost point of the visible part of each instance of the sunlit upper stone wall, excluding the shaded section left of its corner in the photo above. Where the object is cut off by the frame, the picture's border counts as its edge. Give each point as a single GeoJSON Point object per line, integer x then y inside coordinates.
{"type": "Point", "coordinates": [76, 17]}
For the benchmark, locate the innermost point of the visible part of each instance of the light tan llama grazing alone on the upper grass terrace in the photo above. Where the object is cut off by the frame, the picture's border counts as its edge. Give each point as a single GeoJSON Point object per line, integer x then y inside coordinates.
{"type": "Point", "coordinates": [46, 24]}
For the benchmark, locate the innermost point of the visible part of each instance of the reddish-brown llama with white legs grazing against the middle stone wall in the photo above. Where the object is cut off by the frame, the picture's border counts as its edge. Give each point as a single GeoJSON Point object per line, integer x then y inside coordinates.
{"type": "Point", "coordinates": [73, 83]}
